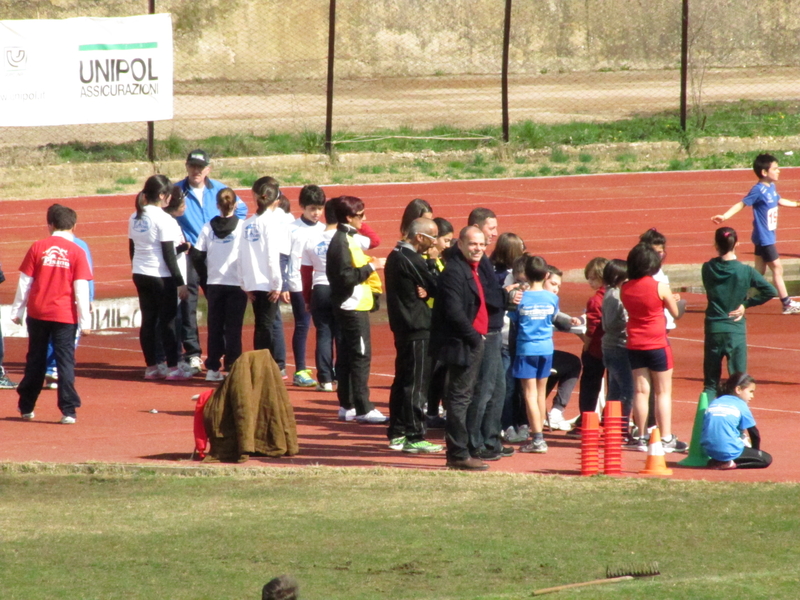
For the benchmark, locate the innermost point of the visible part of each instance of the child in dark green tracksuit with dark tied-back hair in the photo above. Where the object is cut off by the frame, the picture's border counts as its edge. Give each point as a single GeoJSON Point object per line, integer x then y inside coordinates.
{"type": "Point", "coordinates": [727, 282]}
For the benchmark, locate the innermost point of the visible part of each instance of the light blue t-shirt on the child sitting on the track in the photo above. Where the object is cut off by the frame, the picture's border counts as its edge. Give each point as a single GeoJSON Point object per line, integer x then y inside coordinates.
{"type": "Point", "coordinates": [725, 420]}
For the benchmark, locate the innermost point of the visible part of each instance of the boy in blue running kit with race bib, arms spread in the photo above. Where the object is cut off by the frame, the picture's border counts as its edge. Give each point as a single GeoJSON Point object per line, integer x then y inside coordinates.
{"type": "Point", "coordinates": [764, 199]}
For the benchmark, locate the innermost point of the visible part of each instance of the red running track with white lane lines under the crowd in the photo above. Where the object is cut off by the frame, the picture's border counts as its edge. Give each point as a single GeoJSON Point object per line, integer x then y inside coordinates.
{"type": "Point", "coordinates": [568, 220]}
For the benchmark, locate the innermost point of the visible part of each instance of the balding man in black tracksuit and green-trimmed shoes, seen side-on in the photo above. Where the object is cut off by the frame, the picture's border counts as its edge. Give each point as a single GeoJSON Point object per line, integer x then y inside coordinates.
{"type": "Point", "coordinates": [408, 285]}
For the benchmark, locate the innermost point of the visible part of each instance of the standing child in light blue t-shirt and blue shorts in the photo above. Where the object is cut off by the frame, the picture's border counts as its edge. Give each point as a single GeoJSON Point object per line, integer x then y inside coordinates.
{"type": "Point", "coordinates": [534, 359]}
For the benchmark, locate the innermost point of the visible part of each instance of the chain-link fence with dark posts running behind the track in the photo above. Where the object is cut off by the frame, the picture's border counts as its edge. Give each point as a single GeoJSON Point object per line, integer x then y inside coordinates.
{"type": "Point", "coordinates": [404, 67]}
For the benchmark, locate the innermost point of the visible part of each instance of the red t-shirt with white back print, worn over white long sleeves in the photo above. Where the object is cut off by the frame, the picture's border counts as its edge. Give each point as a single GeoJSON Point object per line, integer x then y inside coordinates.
{"type": "Point", "coordinates": [54, 264]}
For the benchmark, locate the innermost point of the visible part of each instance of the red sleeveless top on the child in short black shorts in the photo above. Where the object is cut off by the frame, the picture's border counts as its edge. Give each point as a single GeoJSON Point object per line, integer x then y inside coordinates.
{"type": "Point", "coordinates": [647, 325]}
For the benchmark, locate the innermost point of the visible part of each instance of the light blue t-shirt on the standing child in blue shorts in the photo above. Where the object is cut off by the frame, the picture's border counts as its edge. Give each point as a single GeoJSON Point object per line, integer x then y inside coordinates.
{"type": "Point", "coordinates": [534, 319]}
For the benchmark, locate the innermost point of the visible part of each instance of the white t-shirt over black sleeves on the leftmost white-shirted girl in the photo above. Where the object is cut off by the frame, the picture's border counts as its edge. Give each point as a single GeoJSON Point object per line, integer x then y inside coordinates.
{"type": "Point", "coordinates": [147, 233]}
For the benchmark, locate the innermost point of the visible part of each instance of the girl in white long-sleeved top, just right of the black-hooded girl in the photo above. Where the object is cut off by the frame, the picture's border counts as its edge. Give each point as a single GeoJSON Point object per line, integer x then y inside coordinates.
{"type": "Point", "coordinates": [263, 260]}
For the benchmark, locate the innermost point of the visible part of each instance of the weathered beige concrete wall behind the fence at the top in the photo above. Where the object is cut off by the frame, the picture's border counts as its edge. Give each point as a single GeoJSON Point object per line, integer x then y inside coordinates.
{"type": "Point", "coordinates": [278, 40]}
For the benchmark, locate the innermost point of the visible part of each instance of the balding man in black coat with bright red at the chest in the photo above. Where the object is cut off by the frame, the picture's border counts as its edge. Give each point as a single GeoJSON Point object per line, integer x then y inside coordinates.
{"type": "Point", "coordinates": [461, 322]}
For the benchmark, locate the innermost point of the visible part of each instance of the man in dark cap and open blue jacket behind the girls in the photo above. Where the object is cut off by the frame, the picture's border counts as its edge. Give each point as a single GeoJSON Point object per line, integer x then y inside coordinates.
{"type": "Point", "coordinates": [200, 192]}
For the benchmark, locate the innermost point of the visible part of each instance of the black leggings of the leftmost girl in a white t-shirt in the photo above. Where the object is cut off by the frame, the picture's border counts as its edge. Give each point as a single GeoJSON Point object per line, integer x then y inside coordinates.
{"type": "Point", "coordinates": [158, 303]}
